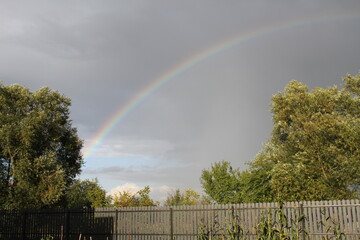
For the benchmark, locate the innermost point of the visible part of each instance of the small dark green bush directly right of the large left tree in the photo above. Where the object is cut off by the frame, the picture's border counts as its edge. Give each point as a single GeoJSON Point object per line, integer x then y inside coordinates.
{"type": "Point", "coordinates": [86, 194]}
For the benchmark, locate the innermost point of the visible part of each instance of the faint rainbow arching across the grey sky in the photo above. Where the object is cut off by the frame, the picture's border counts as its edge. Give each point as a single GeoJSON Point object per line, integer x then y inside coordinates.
{"type": "Point", "coordinates": [187, 64]}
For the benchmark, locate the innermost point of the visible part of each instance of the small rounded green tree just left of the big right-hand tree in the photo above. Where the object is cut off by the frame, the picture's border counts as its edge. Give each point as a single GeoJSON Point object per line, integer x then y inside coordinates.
{"type": "Point", "coordinates": [222, 183]}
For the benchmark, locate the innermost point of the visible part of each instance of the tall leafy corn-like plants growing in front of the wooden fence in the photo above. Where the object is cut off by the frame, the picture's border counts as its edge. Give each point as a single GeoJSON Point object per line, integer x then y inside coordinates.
{"type": "Point", "coordinates": [271, 225]}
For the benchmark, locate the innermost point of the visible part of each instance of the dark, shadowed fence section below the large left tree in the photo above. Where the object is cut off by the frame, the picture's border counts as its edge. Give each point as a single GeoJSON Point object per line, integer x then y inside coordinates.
{"type": "Point", "coordinates": [55, 224]}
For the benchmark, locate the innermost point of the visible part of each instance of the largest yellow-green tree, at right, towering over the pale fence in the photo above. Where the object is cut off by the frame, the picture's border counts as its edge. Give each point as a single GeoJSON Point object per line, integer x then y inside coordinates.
{"type": "Point", "coordinates": [314, 150]}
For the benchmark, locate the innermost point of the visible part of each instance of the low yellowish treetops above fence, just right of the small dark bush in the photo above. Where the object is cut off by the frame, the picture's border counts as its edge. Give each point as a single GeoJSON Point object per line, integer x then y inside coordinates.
{"type": "Point", "coordinates": [139, 199]}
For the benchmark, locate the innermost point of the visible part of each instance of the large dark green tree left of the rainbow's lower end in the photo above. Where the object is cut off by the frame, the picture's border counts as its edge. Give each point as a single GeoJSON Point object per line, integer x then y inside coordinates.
{"type": "Point", "coordinates": [39, 149]}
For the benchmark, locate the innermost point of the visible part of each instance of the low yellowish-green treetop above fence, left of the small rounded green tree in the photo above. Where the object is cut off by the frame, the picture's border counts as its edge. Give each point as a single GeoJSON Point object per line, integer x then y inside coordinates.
{"type": "Point", "coordinates": [188, 197]}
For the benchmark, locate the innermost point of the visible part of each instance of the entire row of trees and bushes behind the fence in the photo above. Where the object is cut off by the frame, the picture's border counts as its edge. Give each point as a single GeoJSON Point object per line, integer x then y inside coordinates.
{"type": "Point", "coordinates": [312, 154]}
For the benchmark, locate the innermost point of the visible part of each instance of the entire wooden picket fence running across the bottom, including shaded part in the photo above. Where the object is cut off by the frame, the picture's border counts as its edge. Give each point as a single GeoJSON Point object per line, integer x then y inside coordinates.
{"type": "Point", "coordinates": [322, 220]}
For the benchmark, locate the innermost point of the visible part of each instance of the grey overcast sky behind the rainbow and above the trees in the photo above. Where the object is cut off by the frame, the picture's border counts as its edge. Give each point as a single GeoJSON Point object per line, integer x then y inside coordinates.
{"type": "Point", "coordinates": [103, 53]}
